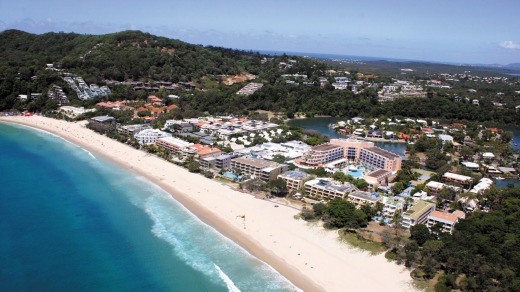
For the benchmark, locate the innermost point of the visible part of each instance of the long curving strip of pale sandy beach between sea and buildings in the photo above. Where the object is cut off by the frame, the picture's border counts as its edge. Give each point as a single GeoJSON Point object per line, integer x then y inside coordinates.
{"type": "Point", "coordinates": [309, 256]}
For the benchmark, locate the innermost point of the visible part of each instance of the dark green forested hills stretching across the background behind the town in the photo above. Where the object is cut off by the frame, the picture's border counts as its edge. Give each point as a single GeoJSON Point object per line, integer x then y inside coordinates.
{"type": "Point", "coordinates": [138, 56]}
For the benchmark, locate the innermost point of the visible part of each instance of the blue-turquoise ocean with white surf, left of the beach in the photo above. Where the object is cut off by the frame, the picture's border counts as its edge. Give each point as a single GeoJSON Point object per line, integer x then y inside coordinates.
{"type": "Point", "coordinates": [70, 220]}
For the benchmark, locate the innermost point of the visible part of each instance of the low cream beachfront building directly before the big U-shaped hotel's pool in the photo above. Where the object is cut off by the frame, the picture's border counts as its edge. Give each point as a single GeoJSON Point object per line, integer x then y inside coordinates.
{"type": "Point", "coordinates": [328, 189]}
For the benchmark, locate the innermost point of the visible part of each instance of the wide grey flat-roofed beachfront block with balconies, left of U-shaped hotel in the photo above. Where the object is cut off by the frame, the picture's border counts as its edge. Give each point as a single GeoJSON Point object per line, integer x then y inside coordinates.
{"type": "Point", "coordinates": [263, 169]}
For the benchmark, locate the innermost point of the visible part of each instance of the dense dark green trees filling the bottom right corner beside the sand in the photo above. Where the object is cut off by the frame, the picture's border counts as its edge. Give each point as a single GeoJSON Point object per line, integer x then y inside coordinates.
{"type": "Point", "coordinates": [482, 254]}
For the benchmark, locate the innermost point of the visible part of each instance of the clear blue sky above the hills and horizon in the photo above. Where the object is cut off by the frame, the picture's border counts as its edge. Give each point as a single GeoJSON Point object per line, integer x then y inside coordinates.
{"type": "Point", "coordinates": [454, 31]}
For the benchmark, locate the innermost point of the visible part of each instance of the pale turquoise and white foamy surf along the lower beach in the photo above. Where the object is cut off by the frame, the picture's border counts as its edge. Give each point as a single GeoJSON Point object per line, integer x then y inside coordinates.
{"type": "Point", "coordinates": [206, 250]}
